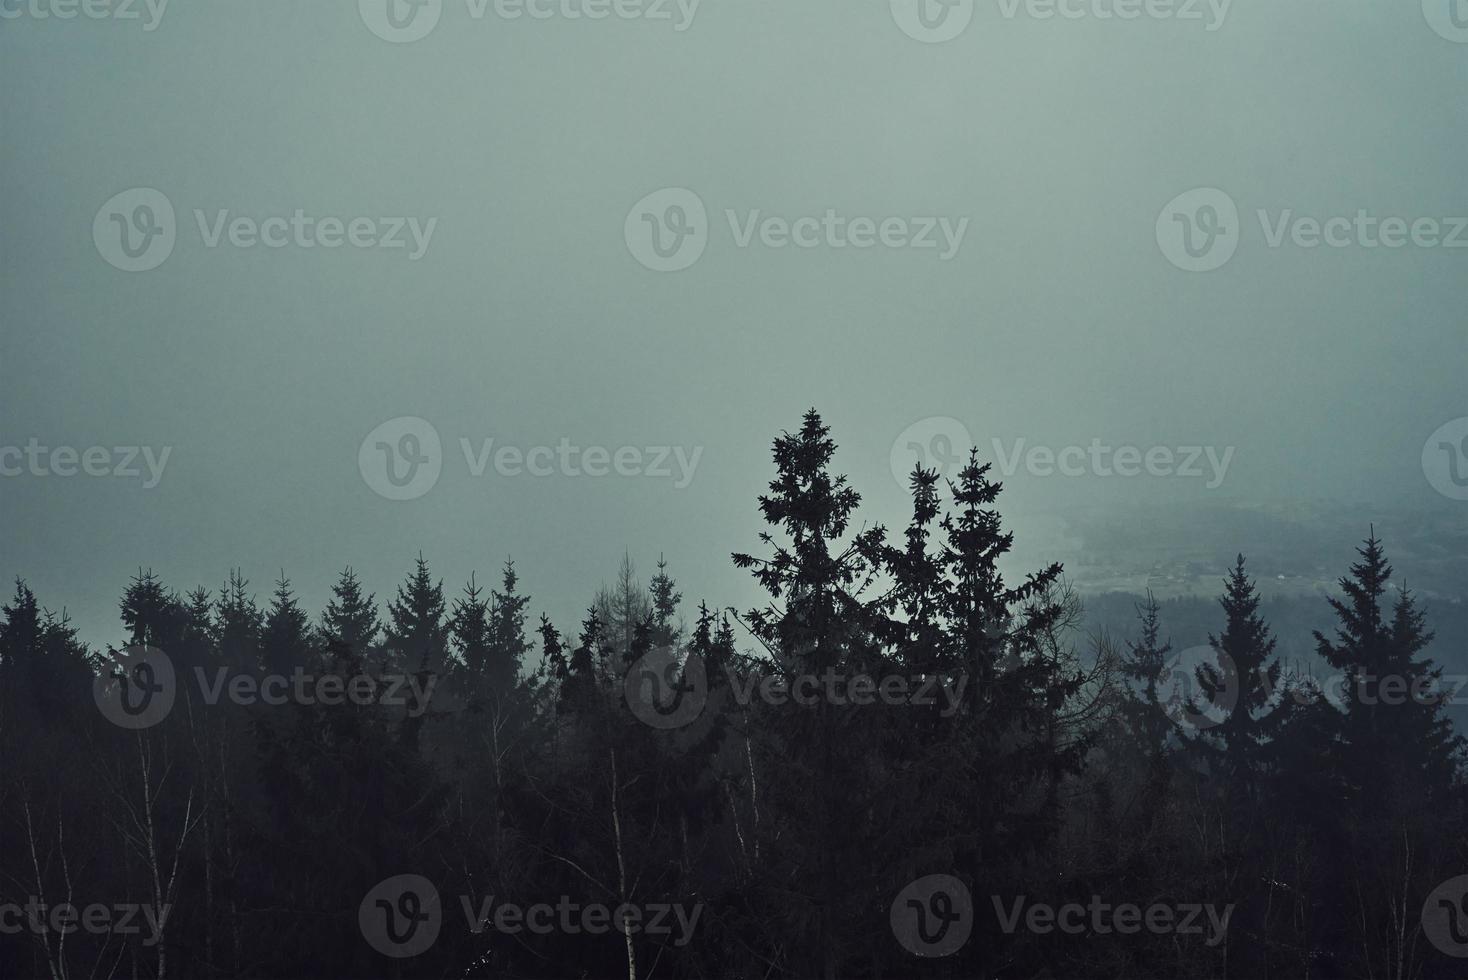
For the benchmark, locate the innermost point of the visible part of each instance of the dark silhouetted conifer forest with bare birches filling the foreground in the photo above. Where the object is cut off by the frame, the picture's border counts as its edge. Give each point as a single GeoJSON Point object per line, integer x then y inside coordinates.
{"type": "Point", "coordinates": [904, 764]}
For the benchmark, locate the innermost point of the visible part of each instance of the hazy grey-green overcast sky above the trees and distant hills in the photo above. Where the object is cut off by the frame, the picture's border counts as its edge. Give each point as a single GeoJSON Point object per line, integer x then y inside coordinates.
{"type": "Point", "coordinates": [293, 244]}
